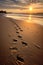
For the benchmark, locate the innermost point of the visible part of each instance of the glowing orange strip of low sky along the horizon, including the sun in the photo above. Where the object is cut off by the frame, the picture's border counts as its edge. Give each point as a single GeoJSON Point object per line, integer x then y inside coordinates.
{"type": "Point", "coordinates": [29, 10]}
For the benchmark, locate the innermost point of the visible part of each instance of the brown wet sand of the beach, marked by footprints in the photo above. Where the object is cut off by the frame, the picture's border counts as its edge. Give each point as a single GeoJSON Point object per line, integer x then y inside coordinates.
{"type": "Point", "coordinates": [21, 43]}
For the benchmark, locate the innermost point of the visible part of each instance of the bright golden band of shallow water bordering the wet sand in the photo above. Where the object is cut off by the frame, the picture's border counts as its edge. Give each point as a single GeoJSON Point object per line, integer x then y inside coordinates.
{"type": "Point", "coordinates": [28, 18]}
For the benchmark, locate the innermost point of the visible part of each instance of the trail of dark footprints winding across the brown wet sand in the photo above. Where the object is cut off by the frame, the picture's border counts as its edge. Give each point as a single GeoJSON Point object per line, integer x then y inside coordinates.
{"type": "Point", "coordinates": [19, 59]}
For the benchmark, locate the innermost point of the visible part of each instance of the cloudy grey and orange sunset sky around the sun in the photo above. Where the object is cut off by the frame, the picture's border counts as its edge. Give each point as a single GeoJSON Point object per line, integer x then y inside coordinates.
{"type": "Point", "coordinates": [21, 6]}
